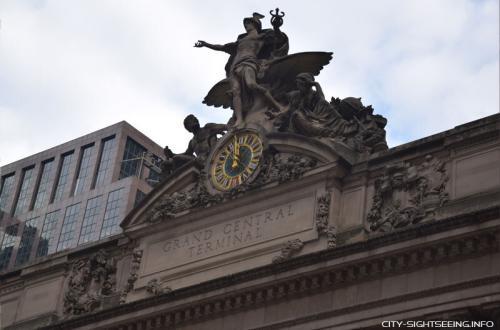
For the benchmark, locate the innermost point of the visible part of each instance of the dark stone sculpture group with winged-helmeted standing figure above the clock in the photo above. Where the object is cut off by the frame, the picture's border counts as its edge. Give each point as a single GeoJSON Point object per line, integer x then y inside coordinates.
{"type": "Point", "coordinates": [277, 92]}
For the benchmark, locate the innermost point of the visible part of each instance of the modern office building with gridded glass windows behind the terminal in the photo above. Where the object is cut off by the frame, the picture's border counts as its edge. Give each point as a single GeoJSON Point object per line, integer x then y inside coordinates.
{"type": "Point", "coordinates": [73, 194]}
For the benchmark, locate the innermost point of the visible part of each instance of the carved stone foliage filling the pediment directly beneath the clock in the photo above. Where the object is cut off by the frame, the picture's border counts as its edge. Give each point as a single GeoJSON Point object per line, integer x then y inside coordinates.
{"type": "Point", "coordinates": [278, 167]}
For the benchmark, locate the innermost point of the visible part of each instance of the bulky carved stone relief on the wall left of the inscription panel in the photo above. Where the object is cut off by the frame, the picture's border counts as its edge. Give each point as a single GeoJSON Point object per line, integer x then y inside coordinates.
{"type": "Point", "coordinates": [89, 281]}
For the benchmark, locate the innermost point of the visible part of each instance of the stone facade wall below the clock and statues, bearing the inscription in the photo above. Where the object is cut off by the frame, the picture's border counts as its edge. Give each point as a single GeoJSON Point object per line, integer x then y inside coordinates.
{"type": "Point", "coordinates": [341, 246]}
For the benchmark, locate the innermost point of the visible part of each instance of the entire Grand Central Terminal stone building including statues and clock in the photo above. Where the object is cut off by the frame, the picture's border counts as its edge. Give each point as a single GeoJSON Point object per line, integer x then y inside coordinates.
{"type": "Point", "coordinates": [293, 215]}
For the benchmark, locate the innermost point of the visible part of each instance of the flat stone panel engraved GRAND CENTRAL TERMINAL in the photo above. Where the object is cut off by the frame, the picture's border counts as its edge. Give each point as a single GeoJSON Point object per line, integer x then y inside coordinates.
{"type": "Point", "coordinates": [231, 234]}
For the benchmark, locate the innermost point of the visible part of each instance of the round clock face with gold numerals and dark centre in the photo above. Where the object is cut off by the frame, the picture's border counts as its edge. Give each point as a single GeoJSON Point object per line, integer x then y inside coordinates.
{"type": "Point", "coordinates": [236, 160]}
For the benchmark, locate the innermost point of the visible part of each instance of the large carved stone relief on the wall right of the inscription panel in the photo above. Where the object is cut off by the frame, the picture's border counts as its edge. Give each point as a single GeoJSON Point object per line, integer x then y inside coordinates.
{"type": "Point", "coordinates": [407, 194]}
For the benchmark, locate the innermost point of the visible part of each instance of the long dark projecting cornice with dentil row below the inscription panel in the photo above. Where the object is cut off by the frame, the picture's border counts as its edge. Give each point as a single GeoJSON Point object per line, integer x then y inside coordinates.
{"type": "Point", "coordinates": [480, 242]}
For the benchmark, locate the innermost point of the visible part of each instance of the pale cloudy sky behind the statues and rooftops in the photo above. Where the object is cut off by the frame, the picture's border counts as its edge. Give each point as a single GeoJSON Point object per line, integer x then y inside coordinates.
{"type": "Point", "coordinates": [68, 68]}
